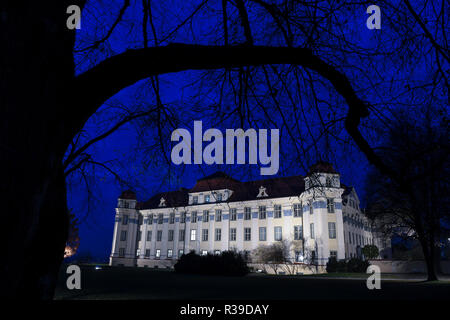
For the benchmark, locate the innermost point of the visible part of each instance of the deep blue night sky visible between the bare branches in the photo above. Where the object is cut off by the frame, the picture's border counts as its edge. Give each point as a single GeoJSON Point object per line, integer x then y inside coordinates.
{"type": "Point", "coordinates": [380, 80]}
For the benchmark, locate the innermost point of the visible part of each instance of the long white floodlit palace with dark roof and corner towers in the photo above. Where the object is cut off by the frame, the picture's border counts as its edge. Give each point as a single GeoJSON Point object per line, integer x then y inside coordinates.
{"type": "Point", "coordinates": [317, 215]}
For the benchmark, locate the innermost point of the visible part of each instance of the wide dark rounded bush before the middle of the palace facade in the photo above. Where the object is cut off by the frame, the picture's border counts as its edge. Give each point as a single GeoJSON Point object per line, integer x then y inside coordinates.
{"type": "Point", "coordinates": [227, 263]}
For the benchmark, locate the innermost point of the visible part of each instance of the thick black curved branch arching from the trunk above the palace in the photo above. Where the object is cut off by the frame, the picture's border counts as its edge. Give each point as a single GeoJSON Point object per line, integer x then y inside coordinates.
{"type": "Point", "coordinates": [112, 75]}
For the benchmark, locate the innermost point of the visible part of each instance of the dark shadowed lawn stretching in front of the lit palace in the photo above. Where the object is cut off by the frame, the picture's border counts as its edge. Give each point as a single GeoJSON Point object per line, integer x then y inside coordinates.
{"type": "Point", "coordinates": [143, 283]}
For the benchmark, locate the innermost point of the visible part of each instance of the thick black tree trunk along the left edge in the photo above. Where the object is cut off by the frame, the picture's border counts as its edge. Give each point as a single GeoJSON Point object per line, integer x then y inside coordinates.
{"type": "Point", "coordinates": [36, 64]}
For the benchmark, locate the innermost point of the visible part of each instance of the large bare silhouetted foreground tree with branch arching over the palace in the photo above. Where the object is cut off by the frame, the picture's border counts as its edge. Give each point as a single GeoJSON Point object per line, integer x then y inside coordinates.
{"type": "Point", "coordinates": [300, 66]}
